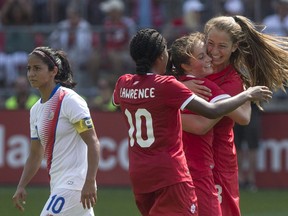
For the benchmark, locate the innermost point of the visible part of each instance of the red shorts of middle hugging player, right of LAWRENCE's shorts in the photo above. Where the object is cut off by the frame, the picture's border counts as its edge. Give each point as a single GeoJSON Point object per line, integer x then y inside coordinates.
{"type": "Point", "coordinates": [207, 196]}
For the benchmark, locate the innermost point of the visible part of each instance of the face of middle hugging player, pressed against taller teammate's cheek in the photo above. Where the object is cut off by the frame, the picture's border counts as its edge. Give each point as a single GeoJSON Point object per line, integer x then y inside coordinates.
{"type": "Point", "coordinates": [200, 63]}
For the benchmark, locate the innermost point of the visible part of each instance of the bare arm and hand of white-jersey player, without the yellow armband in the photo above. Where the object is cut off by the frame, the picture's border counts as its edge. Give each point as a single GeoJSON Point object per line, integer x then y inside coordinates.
{"type": "Point", "coordinates": [31, 167]}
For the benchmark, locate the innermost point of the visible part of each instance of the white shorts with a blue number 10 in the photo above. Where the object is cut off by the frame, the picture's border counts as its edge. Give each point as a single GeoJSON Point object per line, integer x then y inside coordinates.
{"type": "Point", "coordinates": [64, 202]}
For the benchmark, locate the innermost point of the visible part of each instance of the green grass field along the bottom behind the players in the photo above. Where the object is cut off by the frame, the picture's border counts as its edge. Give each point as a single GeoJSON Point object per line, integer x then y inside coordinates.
{"type": "Point", "coordinates": [119, 202]}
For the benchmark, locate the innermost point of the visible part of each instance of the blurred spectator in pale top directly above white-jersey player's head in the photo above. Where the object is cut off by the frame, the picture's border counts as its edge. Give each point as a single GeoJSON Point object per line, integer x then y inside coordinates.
{"type": "Point", "coordinates": [74, 36]}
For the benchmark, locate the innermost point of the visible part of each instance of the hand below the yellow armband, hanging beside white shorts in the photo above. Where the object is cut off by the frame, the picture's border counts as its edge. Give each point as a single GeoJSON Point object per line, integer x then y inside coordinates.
{"type": "Point", "coordinates": [89, 194]}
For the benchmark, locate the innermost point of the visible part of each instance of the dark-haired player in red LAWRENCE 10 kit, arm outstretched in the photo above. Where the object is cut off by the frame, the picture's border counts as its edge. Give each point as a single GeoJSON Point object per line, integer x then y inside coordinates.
{"type": "Point", "coordinates": [151, 104]}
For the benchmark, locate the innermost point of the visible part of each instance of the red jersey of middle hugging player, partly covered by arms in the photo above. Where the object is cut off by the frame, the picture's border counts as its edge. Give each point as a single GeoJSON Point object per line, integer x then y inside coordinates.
{"type": "Point", "coordinates": [198, 149]}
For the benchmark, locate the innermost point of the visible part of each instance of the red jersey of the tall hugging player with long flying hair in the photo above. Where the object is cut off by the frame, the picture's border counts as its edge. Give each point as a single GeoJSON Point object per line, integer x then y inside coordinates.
{"type": "Point", "coordinates": [225, 156]}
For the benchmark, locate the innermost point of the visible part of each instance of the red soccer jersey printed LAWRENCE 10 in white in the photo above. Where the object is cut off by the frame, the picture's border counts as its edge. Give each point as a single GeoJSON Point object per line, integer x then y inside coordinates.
{"type": "Point", "coordinates": [151, 105]}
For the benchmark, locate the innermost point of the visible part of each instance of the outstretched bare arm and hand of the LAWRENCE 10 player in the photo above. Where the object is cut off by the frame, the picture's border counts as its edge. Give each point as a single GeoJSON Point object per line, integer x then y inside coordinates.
{"type": "Point", "coordinates": [223, 107]}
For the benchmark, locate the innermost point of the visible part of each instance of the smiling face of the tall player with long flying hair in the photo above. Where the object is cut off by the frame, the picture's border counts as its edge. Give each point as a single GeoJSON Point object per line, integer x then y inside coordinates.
{"type": "Point", "coordinates": [219, 48]}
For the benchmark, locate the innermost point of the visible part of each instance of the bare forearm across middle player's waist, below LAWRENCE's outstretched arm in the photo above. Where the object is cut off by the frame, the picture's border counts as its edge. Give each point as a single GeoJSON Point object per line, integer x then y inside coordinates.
{"type": "Point", "coordinates": [197, 124]}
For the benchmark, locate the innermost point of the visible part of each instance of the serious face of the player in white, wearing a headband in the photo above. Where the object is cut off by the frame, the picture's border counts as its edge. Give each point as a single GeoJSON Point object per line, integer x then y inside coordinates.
{"type": "Point", "coordinates": [38, 73]}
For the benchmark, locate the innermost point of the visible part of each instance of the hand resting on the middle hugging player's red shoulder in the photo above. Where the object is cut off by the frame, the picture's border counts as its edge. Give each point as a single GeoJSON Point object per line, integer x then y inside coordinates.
{"type": "Point", "coordinates": [197, 87]}
